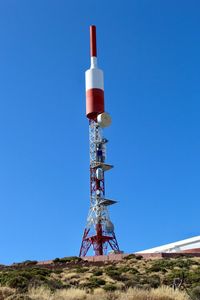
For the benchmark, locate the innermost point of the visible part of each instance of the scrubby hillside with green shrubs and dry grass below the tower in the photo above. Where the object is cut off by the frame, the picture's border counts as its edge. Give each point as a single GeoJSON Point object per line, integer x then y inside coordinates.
{"type": "Point", "coordinates": [132, 278]}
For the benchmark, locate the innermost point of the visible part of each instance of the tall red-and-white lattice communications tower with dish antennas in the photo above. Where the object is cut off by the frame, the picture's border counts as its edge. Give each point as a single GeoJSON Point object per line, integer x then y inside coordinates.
{"type": "Point", "coordinates": [99, 231]}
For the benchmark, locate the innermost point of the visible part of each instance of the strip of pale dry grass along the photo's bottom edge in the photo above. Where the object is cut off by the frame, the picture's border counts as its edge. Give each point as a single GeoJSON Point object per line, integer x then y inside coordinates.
{"type": "Point", "coordinates": [163, 293]}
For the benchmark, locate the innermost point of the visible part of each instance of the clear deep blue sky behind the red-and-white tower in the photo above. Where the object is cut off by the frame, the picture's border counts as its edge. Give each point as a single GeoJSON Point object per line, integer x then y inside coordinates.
{"type": "Point", "coordinates": [150, 54]}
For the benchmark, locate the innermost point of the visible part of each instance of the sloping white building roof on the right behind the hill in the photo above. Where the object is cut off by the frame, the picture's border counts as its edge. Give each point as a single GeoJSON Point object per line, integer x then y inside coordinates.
{"type": "Point", "coordinates": [187, 244]}
